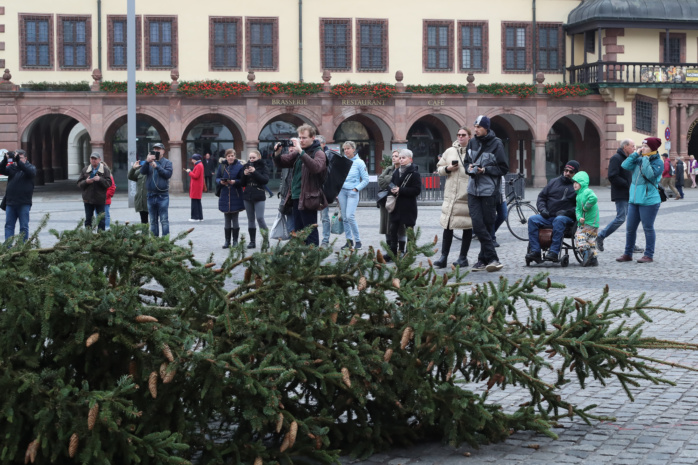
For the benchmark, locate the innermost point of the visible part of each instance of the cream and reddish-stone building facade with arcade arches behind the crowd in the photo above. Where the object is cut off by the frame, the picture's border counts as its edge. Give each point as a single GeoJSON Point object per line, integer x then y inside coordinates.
{"type": "Point", "coordinates": [638, 63]}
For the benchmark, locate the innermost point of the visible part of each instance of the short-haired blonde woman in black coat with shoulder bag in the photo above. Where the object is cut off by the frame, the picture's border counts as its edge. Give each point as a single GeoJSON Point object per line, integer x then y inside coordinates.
{"type": "Point", "coordinates": [406, 185]}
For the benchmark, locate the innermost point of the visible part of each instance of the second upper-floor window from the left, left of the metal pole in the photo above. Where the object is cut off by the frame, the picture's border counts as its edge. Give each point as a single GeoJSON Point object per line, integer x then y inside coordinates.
{"type": "Point", "coordinates": [74, 40]}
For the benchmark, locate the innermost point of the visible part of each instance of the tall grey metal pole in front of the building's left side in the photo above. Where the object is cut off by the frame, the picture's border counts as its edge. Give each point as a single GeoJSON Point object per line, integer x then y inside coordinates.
{"type": "Point", "coordinates": [131, 92]}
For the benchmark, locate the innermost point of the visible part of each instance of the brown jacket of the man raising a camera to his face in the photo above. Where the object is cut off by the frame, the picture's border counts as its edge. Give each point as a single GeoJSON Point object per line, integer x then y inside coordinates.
{"type": "Point", "coordinates": [313, 173]}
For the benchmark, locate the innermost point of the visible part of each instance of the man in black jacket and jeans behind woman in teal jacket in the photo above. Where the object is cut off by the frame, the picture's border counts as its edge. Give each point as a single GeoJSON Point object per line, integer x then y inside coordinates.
{"type": "Point", "coordinates": [620, 191]}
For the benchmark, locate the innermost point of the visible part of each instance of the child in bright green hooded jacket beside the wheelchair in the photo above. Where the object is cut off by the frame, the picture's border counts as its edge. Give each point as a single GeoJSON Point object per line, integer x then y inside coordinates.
{"type": "Point", "coordinates": [587, 212]}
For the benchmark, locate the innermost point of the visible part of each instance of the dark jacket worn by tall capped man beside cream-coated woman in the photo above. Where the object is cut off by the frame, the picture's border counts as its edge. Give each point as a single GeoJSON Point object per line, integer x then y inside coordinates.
{"type": "Point", "coordinates": [488, 153]}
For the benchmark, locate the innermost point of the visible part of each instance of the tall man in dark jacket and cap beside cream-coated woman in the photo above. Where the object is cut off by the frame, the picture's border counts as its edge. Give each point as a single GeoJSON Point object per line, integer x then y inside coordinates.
{"type": "Point", "coordinates": [486, 164]}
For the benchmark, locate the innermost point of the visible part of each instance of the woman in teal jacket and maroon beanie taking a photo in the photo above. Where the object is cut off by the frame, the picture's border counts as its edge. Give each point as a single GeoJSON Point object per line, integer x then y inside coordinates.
{"type": "Point", "coordinates": [643, 205]}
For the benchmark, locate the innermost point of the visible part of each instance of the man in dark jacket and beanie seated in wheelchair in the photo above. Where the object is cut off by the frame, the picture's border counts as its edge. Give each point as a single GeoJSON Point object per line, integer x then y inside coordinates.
{"type": "Point", "coordinates": [556, 203]}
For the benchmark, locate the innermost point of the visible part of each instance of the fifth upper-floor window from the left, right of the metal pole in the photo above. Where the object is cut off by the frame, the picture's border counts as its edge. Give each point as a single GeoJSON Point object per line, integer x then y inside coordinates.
{"type": "Point", "coordinates": [225, 43]}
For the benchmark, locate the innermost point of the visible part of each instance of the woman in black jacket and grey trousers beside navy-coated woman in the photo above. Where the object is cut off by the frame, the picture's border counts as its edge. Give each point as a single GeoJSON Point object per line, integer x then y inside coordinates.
{"type": "Point", "coordinates": [254, 180]}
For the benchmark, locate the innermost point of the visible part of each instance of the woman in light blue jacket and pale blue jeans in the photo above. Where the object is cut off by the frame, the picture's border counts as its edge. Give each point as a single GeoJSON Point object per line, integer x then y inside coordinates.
{"type": "Point", "coordinates": [348, 197]}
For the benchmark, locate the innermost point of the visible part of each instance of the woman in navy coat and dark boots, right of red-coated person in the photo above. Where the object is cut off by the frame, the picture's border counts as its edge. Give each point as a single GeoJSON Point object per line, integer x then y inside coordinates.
{"type": "Point", "coordinates": [229, 181]}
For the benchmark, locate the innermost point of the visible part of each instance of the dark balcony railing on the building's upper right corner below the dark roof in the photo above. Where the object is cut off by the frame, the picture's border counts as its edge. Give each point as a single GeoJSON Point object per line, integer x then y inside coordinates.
{"type": "Point", "coordinates": [607, 72]}
